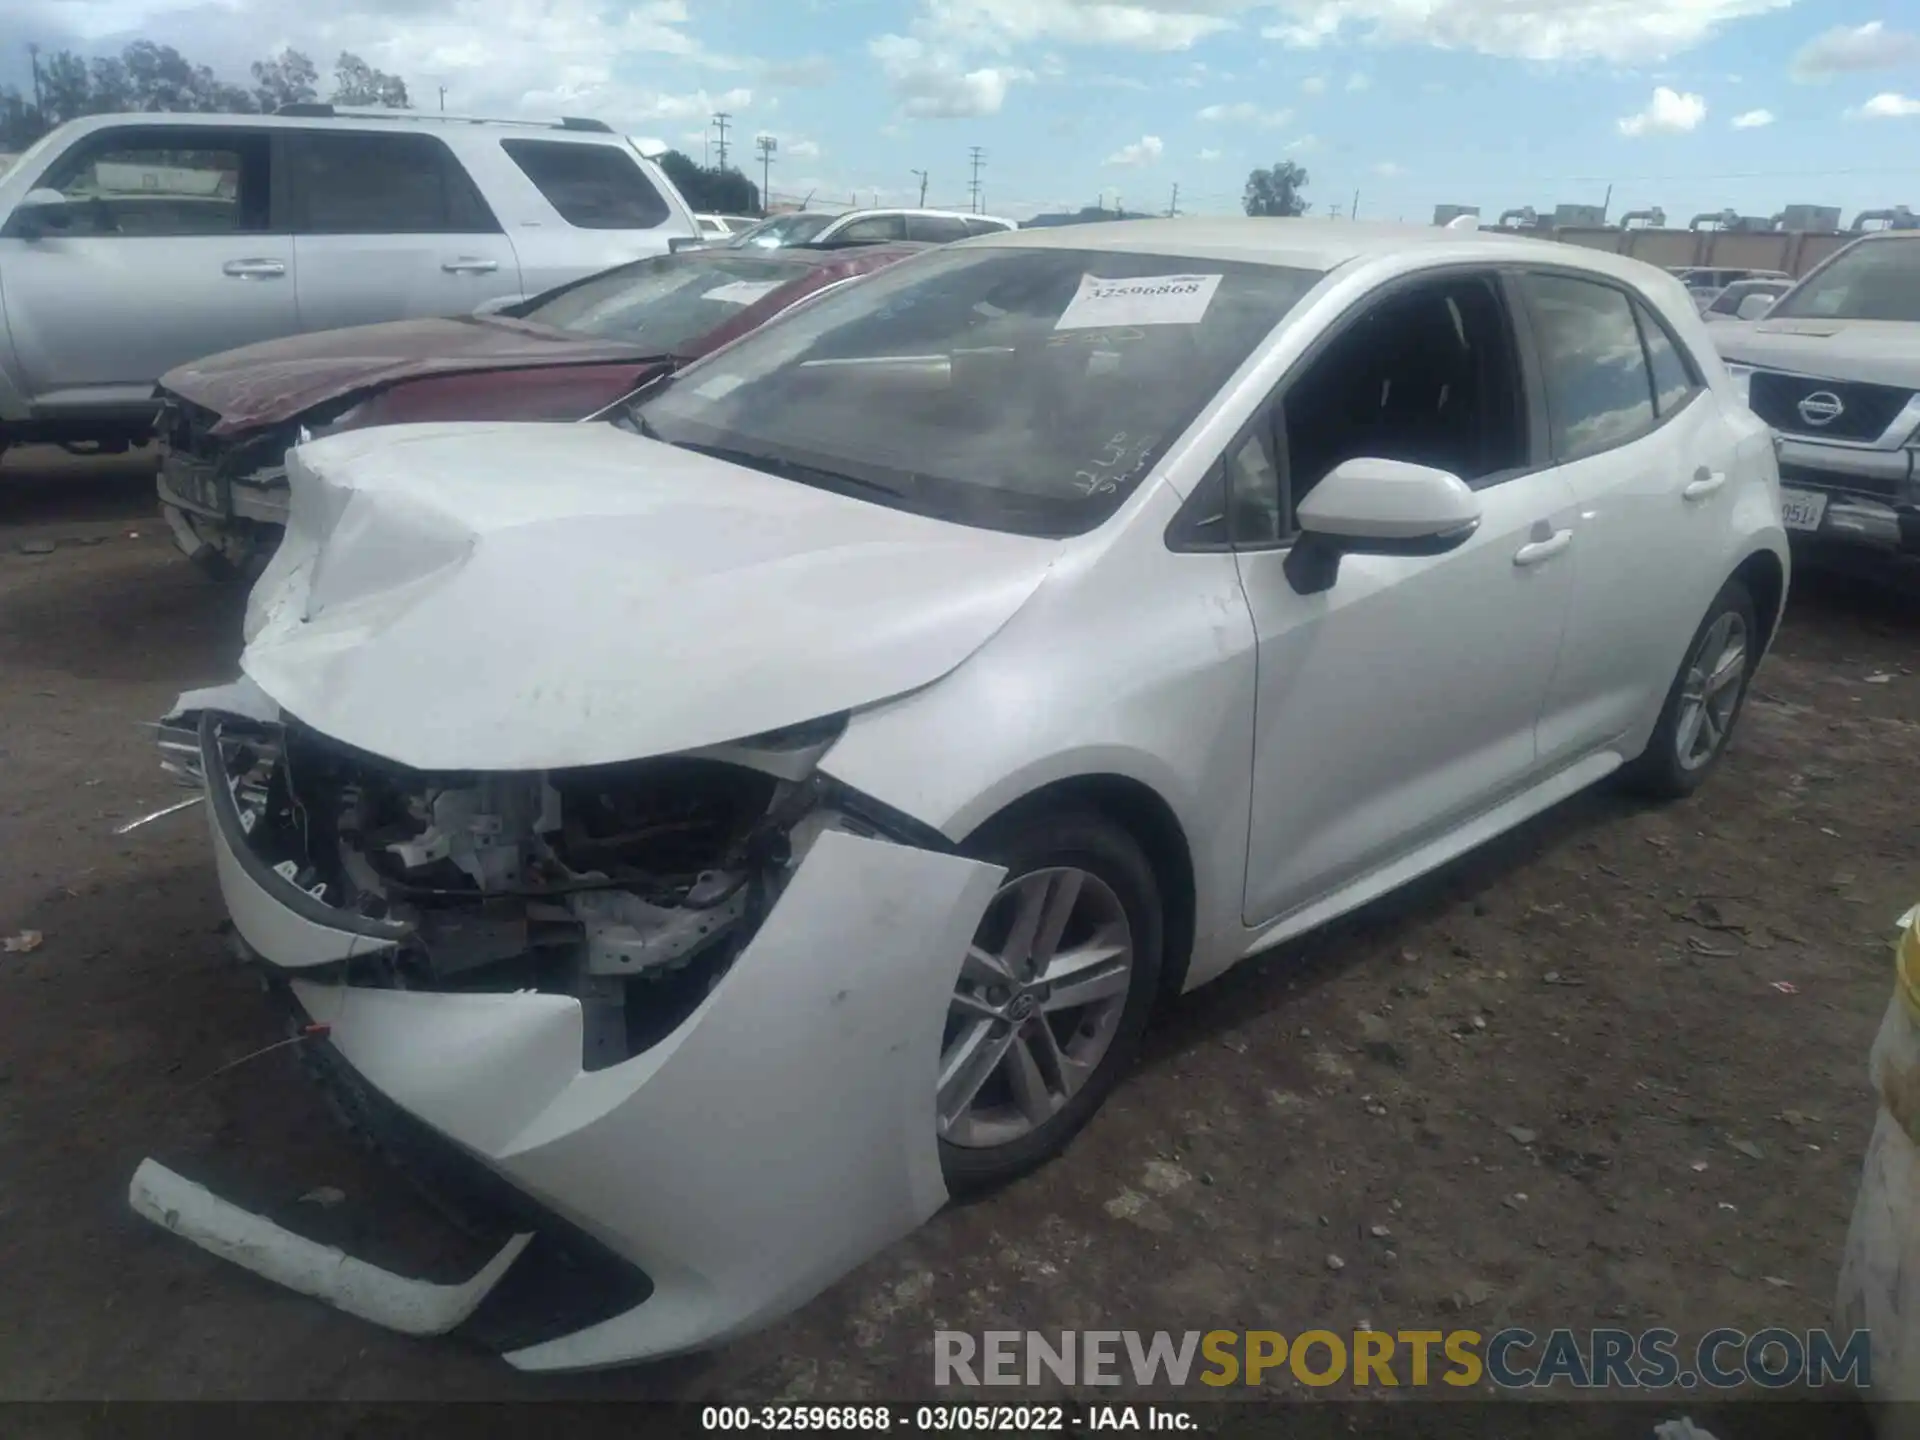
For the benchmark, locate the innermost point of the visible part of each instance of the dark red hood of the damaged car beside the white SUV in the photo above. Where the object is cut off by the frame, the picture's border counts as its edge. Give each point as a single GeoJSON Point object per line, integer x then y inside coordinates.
{"type": "Point", "coordinates": [281, 379]}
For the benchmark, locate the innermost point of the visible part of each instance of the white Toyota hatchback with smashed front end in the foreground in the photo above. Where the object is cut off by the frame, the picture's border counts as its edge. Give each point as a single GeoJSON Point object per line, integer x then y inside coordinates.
{"type": "Point", "coordinates": [732, 830]}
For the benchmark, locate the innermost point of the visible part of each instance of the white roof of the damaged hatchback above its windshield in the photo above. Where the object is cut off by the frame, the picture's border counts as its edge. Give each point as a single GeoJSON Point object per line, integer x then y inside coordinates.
{"type": "Point", "coordinates": [1308, 245]}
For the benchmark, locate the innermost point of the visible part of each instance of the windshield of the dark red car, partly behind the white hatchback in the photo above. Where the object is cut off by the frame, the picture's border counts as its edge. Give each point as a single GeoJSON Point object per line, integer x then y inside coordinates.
{"type": "Point", "coordinates": [665, 302]}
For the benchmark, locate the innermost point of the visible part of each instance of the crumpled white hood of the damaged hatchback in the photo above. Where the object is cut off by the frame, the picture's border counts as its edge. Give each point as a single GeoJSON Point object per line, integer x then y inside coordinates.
{"type": "Point", "coordinates": [533, 598]}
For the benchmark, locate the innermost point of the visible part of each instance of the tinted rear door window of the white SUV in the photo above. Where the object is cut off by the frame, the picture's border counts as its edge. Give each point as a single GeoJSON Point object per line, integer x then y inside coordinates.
{"type": "Point", "coordinates": [366, 183]}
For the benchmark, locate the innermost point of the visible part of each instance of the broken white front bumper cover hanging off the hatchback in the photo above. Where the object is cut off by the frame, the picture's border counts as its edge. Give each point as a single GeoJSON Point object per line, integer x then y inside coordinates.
{"type": "Point", "coordinates": [773, 1141]}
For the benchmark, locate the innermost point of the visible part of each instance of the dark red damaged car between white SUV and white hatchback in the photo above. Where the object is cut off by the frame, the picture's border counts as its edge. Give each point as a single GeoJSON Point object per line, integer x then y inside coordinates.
{"type": "Point", "coordinates": [228, 421]}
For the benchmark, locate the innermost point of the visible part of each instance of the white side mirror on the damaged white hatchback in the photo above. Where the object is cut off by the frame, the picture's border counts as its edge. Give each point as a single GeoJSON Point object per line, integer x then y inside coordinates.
{"type": "Point", "coordinates": [1378, 508]}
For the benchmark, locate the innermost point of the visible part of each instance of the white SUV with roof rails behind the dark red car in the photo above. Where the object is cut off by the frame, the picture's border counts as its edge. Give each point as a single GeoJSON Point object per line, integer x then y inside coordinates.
{"type": "Point", "coordinates": [137, 243]}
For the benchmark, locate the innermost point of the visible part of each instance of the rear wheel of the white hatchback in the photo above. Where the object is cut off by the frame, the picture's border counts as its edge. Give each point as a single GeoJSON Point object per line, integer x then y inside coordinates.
{"type": "Point", "coordinates": [1704, 704]}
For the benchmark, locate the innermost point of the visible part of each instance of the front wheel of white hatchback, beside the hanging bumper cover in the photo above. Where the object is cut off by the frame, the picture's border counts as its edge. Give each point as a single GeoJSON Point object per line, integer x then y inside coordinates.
{"type": "Point", "coordinates": [1053, 997]}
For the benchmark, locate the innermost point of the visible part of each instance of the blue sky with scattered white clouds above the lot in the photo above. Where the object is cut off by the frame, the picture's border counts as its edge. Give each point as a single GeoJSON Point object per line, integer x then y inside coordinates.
{"type": "Point", "coordinates": [1685, 105]}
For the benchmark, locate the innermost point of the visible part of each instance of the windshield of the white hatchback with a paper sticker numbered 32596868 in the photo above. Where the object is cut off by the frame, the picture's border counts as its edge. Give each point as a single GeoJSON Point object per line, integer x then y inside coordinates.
{"type": "Point", "coordinates": [1011, 389]}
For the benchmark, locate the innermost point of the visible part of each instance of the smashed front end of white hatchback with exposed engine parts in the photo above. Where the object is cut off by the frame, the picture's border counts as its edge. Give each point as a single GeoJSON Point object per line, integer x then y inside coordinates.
{"type": "Point", "coordinates": [686, 1007]}
